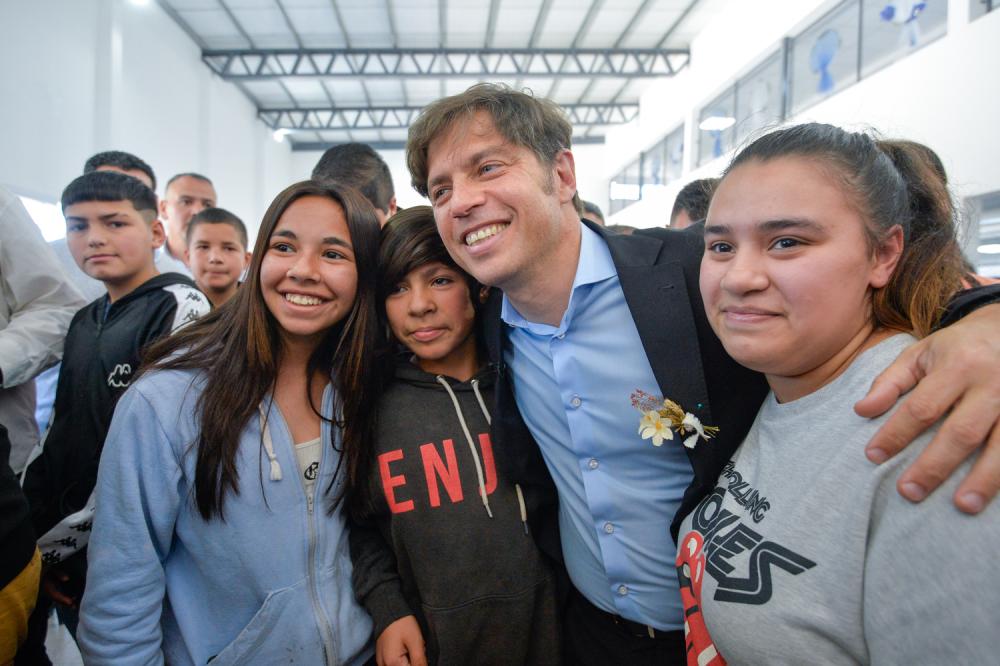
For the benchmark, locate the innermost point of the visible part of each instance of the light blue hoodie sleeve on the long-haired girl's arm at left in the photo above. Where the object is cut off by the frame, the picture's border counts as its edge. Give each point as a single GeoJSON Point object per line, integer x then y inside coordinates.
{"type": "Point", "coordinates": [138, 500]}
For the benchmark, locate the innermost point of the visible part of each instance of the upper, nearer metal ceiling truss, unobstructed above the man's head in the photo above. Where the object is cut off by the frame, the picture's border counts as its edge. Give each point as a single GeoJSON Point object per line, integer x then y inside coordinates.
{"type": "Point", "coordinates": [261, 64]}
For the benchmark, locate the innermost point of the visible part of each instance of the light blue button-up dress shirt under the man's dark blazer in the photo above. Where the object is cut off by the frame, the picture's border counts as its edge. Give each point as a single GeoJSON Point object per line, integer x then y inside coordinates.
{"type": "Point", "coordinates": [617, 492]}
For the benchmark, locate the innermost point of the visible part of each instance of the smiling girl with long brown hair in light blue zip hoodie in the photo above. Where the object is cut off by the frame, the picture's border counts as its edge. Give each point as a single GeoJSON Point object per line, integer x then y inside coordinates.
{"type": "Point", "coordinates": [218, 535]}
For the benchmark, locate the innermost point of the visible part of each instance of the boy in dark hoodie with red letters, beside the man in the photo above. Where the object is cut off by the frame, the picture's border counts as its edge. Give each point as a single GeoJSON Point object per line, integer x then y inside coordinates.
{"type": "Point", "coordinates": [441, 548]}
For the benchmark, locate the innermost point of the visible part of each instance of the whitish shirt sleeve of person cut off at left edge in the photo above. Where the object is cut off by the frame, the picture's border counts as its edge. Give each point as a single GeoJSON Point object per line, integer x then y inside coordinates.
{"type": "Point", "coordinates": [39, 302]}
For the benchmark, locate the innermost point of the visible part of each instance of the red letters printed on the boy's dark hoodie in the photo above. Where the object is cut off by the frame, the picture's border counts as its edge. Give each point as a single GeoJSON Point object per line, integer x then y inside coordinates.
{"type": "Point", "coordinates": [440, 473]}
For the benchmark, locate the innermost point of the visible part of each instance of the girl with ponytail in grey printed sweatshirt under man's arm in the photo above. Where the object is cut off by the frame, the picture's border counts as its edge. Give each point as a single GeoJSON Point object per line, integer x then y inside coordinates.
{"type": "Point", "coordinates": [827, 253]}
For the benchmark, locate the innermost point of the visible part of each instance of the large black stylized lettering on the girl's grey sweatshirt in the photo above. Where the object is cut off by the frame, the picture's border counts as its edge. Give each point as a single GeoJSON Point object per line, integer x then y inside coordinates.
{"type": "Point", "coordinates": [724, 538]}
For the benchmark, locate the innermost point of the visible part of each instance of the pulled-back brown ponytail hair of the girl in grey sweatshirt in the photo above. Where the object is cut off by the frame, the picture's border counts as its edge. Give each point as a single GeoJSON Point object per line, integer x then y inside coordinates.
{"type": "Point", "coordinates": [891, 183]}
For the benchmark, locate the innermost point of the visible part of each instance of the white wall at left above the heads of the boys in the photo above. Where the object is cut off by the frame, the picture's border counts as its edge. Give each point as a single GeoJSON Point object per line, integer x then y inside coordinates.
{"type": "Point", "coordinates": [82, 76]}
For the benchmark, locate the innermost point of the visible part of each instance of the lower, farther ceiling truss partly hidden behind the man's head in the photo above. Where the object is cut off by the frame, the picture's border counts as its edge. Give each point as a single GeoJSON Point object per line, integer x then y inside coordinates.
{"type": "Point", "coordinates": [401, 117]}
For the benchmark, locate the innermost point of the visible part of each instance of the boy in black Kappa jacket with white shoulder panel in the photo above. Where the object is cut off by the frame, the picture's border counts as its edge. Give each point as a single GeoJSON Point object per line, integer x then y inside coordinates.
{"type": "Point", "coordinates": [112, 233]}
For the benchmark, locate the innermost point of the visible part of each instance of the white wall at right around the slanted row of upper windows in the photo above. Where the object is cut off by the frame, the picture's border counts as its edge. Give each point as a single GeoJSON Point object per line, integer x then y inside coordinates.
{"type": "Point", "coordinates": [944, 95]}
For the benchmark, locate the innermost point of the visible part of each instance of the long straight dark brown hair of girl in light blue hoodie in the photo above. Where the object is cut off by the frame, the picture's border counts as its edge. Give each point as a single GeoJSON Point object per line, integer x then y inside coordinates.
{"type": "Point", "coordinates": [238, 349]}
